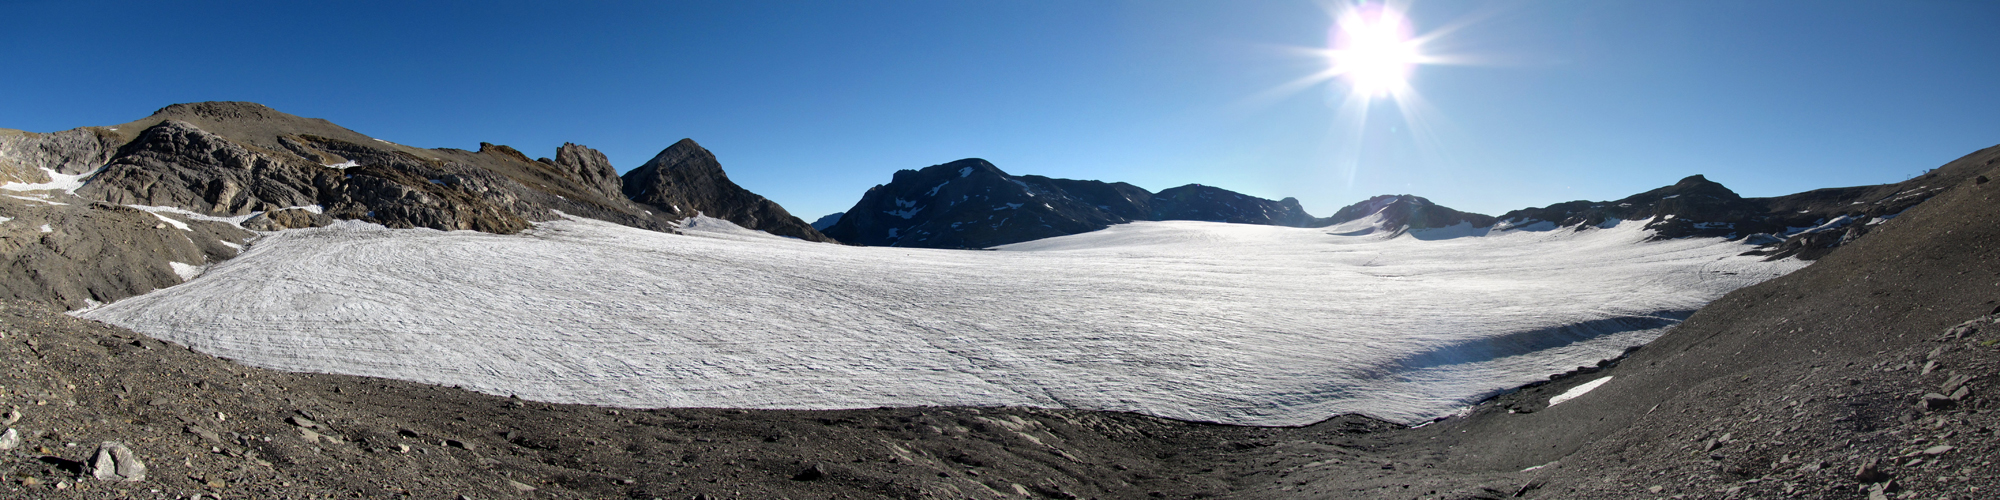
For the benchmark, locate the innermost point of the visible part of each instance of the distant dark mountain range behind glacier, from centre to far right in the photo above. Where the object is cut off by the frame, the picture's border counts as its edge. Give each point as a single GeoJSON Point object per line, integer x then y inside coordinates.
{"type": "Point", "coordinates": [975, 205]}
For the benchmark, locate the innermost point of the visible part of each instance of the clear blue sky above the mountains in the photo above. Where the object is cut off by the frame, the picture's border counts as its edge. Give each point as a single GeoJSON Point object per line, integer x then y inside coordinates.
{"type": "Point", "coordinates": [813, 103]}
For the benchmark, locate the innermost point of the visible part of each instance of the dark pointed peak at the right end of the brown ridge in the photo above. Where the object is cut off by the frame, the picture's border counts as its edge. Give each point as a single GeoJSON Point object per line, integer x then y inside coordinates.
{"type": "Point", "coordinates": [685, 181]}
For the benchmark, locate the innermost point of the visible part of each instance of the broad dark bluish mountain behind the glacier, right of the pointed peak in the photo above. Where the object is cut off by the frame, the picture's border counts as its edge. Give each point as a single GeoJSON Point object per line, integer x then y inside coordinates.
{"type": "Point", "coordinates": [975, 205]}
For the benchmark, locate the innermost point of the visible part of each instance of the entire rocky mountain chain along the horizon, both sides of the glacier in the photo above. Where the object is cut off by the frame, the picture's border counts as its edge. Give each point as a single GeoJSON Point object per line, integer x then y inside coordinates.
{"type": "Point", "coordinates": [107, 205]}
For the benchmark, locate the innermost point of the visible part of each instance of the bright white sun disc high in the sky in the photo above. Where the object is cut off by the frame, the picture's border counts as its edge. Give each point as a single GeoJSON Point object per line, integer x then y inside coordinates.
{"type": "Point", "coordinates": [1375, 51]}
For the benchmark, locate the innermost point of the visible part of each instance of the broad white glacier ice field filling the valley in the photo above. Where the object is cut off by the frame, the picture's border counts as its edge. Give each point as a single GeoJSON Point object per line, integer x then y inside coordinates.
{"type": "Point", "coordinates": [1225, 323]}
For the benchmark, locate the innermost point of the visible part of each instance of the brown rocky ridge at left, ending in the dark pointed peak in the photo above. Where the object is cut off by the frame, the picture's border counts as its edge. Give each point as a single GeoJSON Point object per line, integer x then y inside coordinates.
{"type": "Point", "coordinates": [217, 169]}
